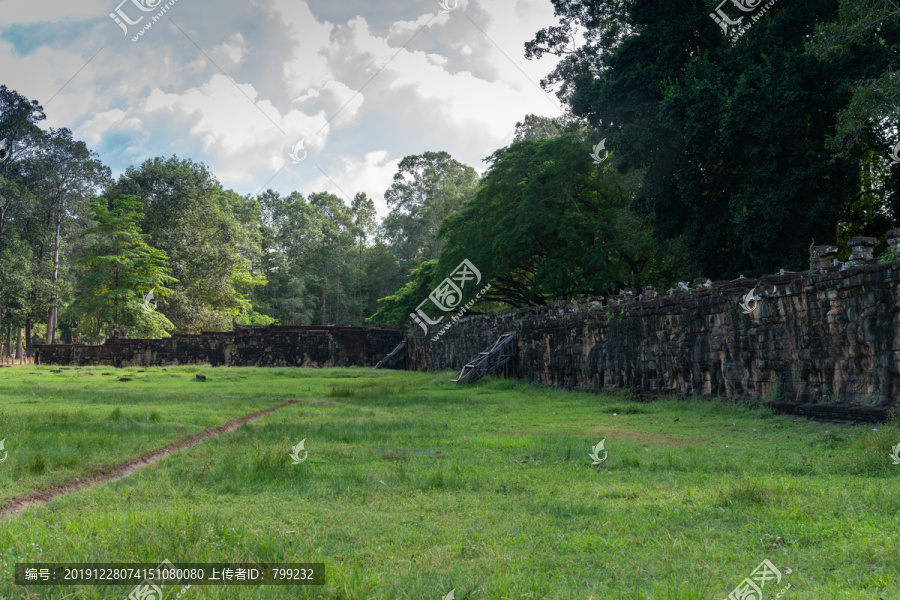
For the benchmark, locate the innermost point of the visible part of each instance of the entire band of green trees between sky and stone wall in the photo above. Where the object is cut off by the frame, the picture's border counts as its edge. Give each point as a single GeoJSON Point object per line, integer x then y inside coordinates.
{"type": "Point", "coordinates": [683, 152]}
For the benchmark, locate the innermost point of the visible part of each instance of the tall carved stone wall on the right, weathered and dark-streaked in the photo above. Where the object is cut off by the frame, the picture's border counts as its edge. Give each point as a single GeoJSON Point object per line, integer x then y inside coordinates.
{"type": "Point", "coordinates": [831, 337]}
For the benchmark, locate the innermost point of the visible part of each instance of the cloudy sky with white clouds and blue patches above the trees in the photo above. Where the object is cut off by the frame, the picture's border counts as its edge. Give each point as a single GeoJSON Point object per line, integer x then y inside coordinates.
{"type": "Point", "coordinates": [237, 84]}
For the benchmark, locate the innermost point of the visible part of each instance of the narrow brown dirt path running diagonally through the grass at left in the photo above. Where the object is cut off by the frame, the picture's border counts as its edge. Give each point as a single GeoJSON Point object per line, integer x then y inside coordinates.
{"type": "Point", "coordinates": [16, 505]}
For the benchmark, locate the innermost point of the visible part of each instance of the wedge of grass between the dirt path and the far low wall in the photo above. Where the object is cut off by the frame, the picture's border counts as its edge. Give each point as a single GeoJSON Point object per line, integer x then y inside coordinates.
{"type": "Point", "coordinates": [62, 423]}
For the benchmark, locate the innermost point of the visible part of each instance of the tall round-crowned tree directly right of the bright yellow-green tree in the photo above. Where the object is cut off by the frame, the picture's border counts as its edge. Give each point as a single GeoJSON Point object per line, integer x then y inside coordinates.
{"type": "Point", "coordinates": [210, 235]}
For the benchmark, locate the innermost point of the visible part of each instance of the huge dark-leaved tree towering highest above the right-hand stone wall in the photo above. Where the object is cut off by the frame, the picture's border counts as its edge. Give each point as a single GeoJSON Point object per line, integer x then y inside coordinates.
{"type": "Point", "coordinates": [730, 137]}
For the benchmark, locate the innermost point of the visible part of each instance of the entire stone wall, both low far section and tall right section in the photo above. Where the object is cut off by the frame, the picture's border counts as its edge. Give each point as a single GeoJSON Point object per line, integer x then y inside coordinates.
{"type": "Point", "coordinates": [826, 337]}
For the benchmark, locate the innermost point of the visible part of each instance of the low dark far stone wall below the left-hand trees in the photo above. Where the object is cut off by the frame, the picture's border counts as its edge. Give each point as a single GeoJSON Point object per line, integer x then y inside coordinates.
{"type": "Point", "coordinates": [244, 347]}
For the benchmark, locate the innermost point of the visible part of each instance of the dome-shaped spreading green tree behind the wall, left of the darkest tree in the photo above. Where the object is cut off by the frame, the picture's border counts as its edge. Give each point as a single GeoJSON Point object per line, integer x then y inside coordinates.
{"type": "Point", "coordinates": [545, 223]}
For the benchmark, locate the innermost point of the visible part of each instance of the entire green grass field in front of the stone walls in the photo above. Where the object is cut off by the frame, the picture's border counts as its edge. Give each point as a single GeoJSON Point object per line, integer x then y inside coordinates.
{"type": "Point", "coordinates": [415, 487]}
